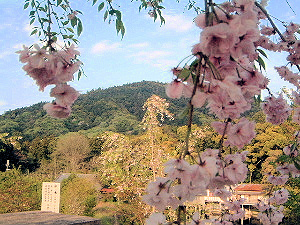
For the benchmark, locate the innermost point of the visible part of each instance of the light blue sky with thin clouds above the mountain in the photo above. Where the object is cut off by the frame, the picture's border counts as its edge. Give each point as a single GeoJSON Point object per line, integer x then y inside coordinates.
{"type": "Point", "coordinates": [147, 52]}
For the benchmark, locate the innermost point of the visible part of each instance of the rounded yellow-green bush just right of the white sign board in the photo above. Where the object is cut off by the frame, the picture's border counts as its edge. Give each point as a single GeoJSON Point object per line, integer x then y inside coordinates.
{"type": "Point", "coordinates": [78, 196]}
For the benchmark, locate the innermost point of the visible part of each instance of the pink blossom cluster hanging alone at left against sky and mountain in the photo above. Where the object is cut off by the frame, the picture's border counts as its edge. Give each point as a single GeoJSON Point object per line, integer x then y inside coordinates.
{"type": "Point", "coordinates": [50, 67]}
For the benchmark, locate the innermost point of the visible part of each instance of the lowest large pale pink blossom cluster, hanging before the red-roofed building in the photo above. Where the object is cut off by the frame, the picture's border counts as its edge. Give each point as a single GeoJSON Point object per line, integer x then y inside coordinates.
{"type": "Point", "coordinates": [184, 182]}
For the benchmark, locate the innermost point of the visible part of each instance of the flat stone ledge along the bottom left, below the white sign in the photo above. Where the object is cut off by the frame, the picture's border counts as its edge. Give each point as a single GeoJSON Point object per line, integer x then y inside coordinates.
{"type": "Point", "coordinates": [45, 218]}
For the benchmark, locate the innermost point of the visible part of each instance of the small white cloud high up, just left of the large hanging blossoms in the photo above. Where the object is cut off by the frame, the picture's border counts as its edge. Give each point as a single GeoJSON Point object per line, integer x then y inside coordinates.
{"type": "Point", "coordinates": [177, 23]}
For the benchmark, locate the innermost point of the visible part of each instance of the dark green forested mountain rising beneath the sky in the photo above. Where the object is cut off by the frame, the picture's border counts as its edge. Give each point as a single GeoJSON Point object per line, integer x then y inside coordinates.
{"type": "Point", "coordinates": [116, 109]}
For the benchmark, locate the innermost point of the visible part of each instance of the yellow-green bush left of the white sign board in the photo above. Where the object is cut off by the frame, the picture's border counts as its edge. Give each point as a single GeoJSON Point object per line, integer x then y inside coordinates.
{"type": "Point", "coordinates": [19, 192]}
